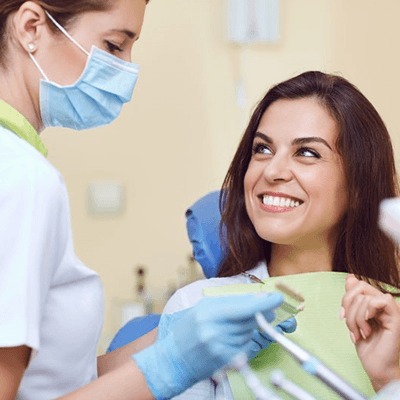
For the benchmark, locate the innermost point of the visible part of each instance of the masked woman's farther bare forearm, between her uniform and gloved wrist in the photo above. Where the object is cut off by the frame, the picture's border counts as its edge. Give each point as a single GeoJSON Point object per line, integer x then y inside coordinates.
{"type": "Point", "coordinates": [118, 357]}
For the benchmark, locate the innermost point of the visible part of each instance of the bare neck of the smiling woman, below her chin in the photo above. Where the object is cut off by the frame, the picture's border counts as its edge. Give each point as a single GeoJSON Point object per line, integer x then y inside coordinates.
{"type": "Point", "coordinates": [288, 260]}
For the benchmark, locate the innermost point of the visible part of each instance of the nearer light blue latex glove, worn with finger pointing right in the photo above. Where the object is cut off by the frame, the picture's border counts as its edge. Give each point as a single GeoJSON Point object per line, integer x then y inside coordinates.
{"type": "Point", "coordinates": [205, 338]}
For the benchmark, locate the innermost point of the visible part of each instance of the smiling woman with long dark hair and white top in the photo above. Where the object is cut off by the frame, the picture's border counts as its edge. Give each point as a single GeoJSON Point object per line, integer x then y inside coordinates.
{"type": "Point", "coordinates": [302, 194]}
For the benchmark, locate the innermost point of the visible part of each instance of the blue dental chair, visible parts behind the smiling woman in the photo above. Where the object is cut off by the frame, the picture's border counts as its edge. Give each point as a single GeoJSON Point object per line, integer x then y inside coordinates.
{"type": "Point", "coordinates": [203, 228]}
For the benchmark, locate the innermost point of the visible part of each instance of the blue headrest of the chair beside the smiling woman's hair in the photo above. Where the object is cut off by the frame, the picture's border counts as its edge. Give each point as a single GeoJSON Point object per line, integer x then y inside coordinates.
{"type": "Point", "coordinates": [203, 226]}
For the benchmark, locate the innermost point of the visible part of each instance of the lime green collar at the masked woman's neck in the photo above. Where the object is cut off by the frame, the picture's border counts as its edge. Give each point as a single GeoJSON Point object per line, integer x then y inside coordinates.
{"type": "Point", "coordinates": [14, 121]}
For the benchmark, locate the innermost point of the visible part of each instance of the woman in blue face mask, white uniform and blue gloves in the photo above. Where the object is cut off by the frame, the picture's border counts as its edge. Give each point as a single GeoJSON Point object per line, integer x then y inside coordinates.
{"type": "Point", "coordinates": [68, 63]}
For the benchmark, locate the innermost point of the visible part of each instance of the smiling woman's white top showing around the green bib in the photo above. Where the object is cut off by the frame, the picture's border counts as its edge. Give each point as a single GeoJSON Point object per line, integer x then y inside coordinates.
{"type": "Point", "coordinates": [187, 297]}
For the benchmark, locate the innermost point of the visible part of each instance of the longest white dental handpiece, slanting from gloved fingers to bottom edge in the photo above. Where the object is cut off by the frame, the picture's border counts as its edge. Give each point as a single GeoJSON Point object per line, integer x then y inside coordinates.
{"type": "Point", "coordinates": [311, 364]}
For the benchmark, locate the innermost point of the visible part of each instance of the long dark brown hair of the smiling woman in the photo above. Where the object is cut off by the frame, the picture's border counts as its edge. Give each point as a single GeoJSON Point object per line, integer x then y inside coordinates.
{"type": "Point", "coordinates": [366, 150]}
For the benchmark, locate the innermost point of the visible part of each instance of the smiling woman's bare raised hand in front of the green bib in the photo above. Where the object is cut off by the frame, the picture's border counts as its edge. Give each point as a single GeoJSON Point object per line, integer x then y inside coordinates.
{"type": "Point", "coordinates": [373, 319]}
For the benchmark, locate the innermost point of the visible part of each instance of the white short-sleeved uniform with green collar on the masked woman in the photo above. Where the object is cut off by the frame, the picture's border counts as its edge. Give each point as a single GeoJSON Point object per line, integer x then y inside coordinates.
{"type": "Point", "coordinates": [49, 300]}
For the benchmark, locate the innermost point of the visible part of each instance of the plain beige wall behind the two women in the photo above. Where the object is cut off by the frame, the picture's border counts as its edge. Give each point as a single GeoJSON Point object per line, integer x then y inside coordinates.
{"type": "Point", "coordinates": [174, 141]}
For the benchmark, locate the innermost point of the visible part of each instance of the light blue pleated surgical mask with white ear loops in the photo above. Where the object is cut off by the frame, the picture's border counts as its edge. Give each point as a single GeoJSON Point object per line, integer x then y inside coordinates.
{"type": "Point", "coordinates": [96, 98]}
